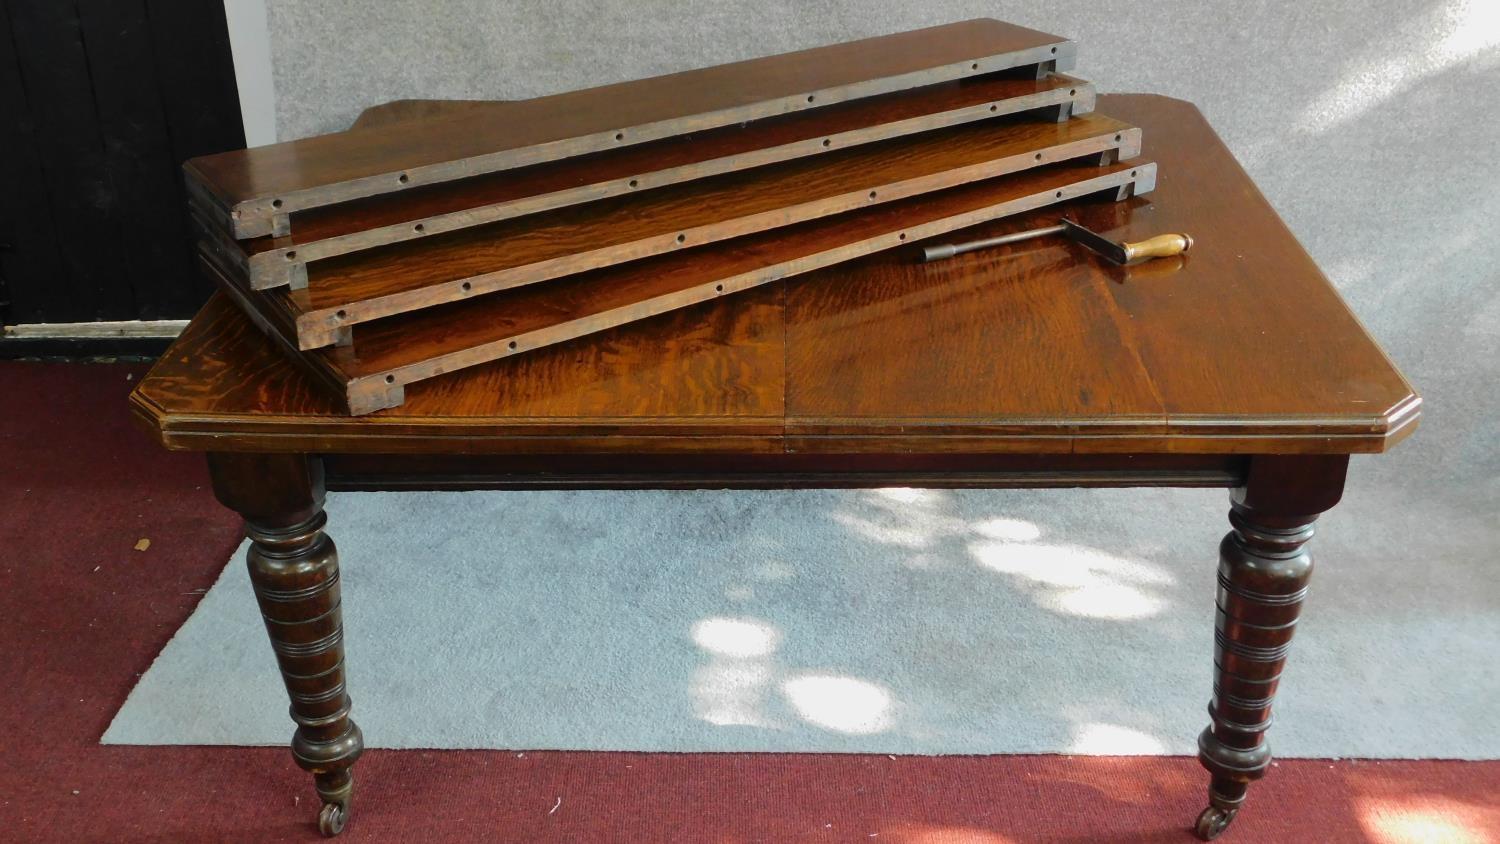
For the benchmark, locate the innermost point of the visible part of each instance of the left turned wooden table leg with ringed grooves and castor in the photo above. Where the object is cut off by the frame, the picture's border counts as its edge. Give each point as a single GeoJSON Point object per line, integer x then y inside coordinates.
{"type": "Point", "coordinates": [295, 570]}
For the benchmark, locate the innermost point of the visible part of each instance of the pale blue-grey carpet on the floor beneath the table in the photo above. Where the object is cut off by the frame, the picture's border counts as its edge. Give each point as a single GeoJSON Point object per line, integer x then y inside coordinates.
{"type": "Point", "coordinates": [883, 621]}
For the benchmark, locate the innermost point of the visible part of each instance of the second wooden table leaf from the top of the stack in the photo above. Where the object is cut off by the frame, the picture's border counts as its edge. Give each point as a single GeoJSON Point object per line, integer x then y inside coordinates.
{"type": "Point", "coordinates": [451, 206]}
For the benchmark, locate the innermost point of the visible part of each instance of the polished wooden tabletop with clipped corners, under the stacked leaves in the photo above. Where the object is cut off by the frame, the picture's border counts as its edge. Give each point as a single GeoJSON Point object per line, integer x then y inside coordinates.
{"type": "Point", "coordinates": [1240, 347]}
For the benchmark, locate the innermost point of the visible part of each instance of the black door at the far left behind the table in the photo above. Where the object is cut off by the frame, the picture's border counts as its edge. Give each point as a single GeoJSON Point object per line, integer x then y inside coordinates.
{"type": "Point", "coordinates": [101, 101]}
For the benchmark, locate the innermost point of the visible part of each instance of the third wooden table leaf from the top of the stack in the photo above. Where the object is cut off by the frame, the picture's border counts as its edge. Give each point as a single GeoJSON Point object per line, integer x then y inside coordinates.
{"type": "Point", "coordinates": [397, 280]}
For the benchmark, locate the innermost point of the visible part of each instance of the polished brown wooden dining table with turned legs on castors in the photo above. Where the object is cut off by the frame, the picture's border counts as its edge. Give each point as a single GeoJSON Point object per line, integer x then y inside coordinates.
{"type": "Point", "coordinates": [1034, 365]}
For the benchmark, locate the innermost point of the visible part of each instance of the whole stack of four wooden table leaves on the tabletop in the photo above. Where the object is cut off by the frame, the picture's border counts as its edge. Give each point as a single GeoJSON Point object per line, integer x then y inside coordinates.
{"type": "Point", "coordinates": [397, 260]}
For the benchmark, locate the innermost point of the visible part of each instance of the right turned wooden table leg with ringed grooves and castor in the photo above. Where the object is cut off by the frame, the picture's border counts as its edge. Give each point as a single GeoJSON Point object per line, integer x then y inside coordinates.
{"type": "Point", "coordinates": [1262, 579]}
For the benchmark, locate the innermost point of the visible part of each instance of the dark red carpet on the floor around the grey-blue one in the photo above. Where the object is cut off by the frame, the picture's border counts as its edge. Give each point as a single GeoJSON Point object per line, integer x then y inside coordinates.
{"type": "Point", "coordinates": [83, 614]}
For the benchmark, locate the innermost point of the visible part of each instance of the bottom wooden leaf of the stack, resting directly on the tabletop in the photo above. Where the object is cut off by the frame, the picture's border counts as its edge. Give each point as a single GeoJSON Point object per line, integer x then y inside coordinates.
{"type": "Point", "coordinates": [374, 367]}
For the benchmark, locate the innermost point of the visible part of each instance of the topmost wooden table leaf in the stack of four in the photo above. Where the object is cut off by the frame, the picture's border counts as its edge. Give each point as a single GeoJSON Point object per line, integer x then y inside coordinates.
{"type": "Point", "coordinates": [251, 193]}
